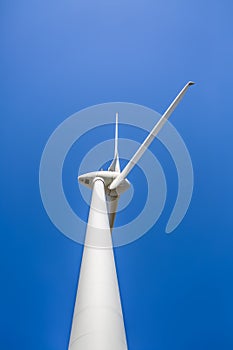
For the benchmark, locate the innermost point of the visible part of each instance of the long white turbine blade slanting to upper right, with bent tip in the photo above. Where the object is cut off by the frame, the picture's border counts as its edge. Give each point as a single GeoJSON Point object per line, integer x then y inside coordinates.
{"type": "Point", "coordinates": [149, 138]}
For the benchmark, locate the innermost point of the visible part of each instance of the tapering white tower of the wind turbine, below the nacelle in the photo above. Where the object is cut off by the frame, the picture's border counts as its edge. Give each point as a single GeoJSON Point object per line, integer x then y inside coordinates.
{"type": "Point", "coordinates": [98, 321]}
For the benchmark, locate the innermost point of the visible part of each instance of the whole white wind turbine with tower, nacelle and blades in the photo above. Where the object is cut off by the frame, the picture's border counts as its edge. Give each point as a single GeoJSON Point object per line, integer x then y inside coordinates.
{"type": "Point", "coordinates": [98, 320]}
